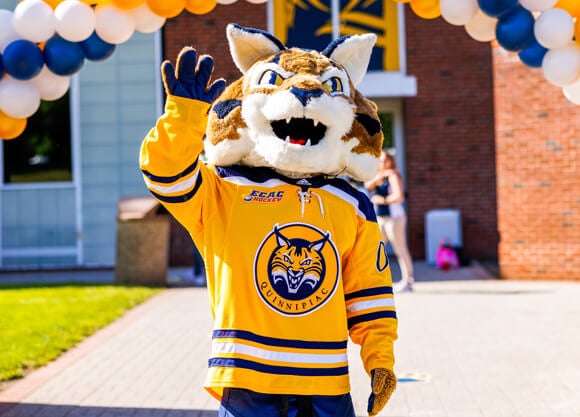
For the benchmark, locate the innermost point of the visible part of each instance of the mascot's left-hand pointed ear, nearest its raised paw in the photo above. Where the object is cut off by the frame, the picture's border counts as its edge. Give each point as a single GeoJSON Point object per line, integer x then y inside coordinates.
{"type": "Point", "coordinates": [247, 45]}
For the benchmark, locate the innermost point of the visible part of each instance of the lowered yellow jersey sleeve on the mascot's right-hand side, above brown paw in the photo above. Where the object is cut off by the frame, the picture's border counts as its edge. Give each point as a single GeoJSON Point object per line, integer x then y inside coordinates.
{"type": "Point", "coordinates": [370, 304]}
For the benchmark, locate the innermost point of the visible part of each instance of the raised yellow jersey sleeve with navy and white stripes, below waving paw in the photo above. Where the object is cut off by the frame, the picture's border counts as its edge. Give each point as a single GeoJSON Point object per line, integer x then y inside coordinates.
{"type": "Point", "coordinates": [171, 166]}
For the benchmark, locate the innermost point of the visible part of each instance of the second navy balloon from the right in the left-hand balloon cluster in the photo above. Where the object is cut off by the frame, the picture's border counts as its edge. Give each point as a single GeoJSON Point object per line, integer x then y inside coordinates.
{"type": "Point", "coordinates": [63, 57]}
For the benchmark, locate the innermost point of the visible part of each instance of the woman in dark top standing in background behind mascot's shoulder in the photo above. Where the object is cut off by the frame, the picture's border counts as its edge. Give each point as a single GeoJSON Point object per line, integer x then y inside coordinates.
{"type": "Point", "coordinates": [386, 192]}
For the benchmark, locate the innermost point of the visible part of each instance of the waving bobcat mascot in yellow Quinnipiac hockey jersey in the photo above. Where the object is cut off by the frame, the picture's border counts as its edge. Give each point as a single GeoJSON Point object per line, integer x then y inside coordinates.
{"type": "Point", "coordinates": [294, 258]}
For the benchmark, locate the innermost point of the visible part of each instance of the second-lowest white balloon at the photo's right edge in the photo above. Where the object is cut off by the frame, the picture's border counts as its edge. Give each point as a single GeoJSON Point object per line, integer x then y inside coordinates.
{"type": "Point", "coordinates": [561, 66]}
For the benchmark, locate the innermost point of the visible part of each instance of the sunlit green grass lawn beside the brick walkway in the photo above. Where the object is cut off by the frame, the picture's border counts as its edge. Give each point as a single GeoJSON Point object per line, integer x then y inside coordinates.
{"type": "Point", "coordinates": [37, 324]}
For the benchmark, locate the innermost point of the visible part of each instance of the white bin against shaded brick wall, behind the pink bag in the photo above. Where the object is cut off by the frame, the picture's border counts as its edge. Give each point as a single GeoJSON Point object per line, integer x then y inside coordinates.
{"type": "Point", "coordinates": [441, 225]}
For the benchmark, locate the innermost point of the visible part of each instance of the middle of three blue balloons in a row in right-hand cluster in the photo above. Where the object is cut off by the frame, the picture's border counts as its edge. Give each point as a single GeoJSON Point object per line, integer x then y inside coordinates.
{"type": "Point", "coordinates": [515, 30]}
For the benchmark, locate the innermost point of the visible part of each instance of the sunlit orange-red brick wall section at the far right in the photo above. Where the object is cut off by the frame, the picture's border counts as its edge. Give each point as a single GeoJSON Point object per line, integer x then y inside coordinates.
{"type": "Point", "coordinates": [538, 154]}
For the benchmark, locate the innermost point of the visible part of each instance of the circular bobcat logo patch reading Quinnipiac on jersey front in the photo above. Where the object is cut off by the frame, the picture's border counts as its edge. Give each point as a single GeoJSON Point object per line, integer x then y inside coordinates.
{"type": "Point", "coordinates": [296, 269]}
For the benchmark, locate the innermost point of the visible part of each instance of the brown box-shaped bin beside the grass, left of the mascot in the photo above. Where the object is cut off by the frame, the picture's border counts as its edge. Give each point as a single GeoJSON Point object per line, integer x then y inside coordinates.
{"type": "Point", "coordinates": [142, 255]}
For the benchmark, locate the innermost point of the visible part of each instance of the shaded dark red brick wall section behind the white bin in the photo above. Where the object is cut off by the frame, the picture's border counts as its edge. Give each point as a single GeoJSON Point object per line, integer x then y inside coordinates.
{"type": "Point", "coordinates": [449, 132]}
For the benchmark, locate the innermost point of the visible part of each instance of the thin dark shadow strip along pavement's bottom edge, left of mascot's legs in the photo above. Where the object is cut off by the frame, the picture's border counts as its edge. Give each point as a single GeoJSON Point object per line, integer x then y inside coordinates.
{"type": "Point", "coordinates": [46, 410]}
